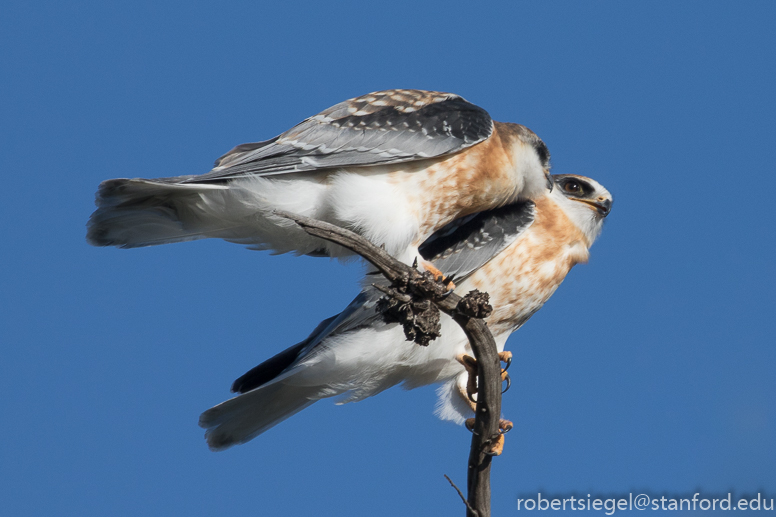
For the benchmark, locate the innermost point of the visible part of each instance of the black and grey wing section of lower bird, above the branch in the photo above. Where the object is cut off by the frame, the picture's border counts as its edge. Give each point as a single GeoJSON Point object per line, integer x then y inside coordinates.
{"type": "Point", "coordinates": [463, 246]}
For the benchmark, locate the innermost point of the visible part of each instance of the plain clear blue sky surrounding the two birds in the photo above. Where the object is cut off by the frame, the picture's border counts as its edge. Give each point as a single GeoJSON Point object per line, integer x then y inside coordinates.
{"type": "Point", "coordinates": [650, 370]}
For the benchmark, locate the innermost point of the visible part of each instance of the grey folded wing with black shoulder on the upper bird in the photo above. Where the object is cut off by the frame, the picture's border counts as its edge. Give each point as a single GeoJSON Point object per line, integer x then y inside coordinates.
{"type": "Point", "coordinates": [378, 128]}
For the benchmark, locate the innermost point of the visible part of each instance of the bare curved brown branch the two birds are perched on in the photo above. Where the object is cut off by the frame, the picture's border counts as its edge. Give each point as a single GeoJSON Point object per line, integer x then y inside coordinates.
{"type": "Point", "coordinates": [469, 316]}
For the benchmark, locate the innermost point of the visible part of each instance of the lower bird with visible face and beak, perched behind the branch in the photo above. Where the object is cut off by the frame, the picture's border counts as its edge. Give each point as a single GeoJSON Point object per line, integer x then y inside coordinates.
{"type": "Point", "coordinates": [518, 253]}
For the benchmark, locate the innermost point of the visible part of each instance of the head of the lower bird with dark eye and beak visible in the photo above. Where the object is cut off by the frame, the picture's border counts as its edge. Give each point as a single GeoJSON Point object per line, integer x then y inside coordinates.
{"type": "Point", "coordinates": [585, 200]}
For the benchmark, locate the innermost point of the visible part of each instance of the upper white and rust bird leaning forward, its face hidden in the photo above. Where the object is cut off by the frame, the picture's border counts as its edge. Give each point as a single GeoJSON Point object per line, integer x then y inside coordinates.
{"type": "Point", "coordinates": [393, 166]}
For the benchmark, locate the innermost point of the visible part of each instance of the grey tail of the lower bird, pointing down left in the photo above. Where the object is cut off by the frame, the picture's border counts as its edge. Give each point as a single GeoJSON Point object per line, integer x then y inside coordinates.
{"type": "Point", "coordinates": [246, 416]}
